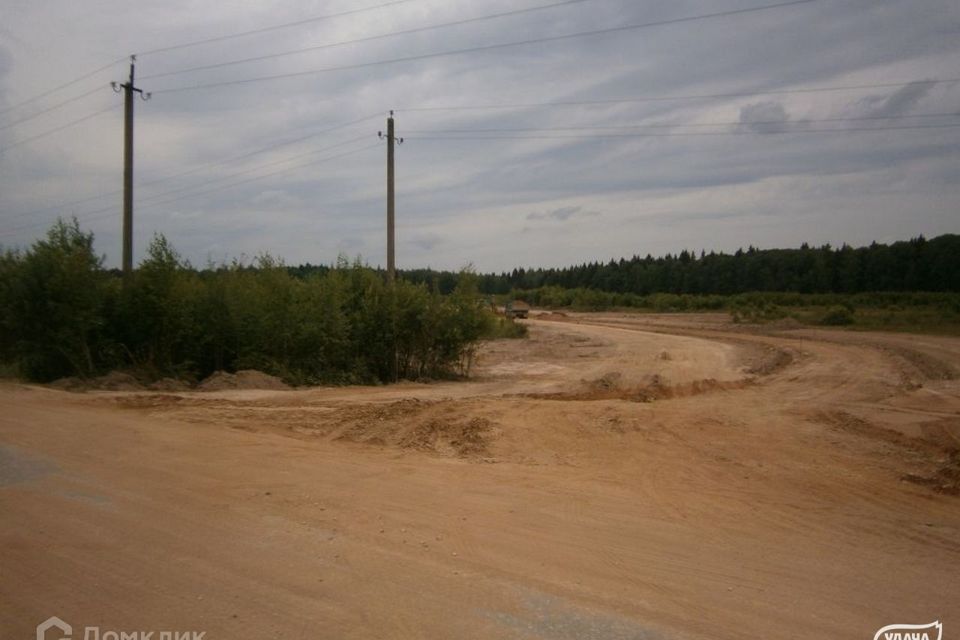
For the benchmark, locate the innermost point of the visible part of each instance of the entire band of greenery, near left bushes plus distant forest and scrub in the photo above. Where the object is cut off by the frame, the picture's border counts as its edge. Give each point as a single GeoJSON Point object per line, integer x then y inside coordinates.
{"type": "Point", "coordinates": [63, 314]}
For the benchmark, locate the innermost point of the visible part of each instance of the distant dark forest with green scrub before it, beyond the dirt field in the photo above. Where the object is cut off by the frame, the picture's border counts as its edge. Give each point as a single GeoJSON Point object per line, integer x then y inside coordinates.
{"type": "Point", "coordinates": [909, 285]}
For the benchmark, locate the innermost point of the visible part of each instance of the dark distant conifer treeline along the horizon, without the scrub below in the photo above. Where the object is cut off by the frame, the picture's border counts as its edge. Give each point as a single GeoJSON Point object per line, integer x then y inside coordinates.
{"type": "Point", "coordinates": [917, 264]}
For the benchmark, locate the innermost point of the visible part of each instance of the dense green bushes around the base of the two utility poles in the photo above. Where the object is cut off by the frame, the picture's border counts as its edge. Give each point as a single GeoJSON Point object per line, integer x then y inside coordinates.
{"type": "Point", "coordinates": [63, 314]}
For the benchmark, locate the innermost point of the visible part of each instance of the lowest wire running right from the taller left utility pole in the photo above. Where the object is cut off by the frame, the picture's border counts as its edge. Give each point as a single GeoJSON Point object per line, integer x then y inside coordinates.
{"type": "Point", "coordinates": [491, 47]}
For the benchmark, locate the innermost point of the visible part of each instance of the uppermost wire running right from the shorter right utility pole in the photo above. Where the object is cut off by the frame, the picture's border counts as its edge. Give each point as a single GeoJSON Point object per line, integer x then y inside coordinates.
{"type": "Point", "coordinates": [702, 96]}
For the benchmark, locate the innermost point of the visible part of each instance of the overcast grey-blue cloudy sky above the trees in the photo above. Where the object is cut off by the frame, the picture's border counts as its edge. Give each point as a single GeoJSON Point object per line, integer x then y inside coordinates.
{"type": "Point", "coordinates": [535, 132]}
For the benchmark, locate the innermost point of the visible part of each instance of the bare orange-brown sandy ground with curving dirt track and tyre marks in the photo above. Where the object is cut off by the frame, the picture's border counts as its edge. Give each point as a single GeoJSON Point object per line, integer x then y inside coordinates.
{"type": "Point", "coordinates": [614, 476]}
